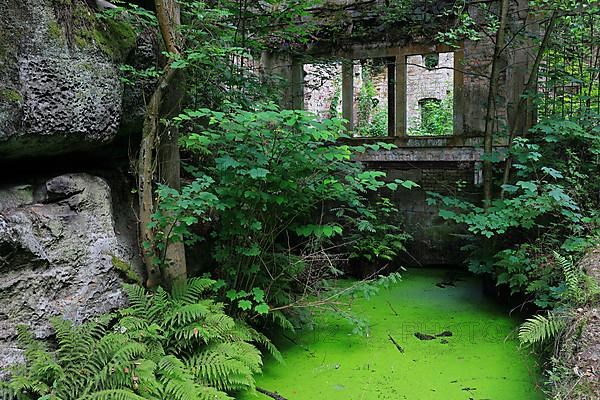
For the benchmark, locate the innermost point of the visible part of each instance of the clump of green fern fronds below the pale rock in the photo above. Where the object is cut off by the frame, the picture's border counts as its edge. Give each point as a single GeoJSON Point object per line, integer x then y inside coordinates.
{"type": "Point", "coordinates": [174, 345]}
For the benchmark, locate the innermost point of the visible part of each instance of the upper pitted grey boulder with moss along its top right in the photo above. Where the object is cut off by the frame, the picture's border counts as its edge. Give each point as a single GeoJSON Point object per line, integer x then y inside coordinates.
{"type": "Point", "coordinates": [59, 77]}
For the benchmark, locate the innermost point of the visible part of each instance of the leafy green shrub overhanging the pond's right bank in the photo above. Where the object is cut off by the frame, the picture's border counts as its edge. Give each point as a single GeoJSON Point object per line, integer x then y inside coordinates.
{"type": "Point", "coordinates": [551, 203]}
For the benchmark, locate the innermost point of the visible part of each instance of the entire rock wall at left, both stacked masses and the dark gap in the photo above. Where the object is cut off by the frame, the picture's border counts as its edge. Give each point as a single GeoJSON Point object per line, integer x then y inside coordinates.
{"type": "Point", "coordinates": [65, 235]}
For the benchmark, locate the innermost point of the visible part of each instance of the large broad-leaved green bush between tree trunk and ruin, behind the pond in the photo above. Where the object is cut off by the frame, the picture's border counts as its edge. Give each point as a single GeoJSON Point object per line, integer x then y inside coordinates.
{"type": "Point", "coordinates": [277, 188]}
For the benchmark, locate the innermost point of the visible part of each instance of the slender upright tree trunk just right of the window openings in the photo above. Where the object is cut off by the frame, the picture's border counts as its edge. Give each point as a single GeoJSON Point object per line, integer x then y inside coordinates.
{"type": "Point", "coordinates": [490, 118]}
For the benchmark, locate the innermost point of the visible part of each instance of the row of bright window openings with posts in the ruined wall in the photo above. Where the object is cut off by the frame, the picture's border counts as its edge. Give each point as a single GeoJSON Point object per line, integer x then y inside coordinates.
{"type": "Point", "coordinates": [390, 92]}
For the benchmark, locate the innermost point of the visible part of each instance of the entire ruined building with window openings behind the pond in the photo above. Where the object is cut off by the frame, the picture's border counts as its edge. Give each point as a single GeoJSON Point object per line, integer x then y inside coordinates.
{"type": "Point", "coordinates": [409, 71]}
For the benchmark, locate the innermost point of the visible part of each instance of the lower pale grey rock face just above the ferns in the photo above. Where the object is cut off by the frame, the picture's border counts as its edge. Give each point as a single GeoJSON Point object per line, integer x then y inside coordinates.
{"type": "Point", "coordinates": [57, 243]}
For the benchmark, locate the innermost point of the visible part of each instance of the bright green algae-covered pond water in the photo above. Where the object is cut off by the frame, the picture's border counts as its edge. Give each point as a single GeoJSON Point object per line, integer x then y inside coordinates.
{"type": "Point", "coordinates": [481, 360]}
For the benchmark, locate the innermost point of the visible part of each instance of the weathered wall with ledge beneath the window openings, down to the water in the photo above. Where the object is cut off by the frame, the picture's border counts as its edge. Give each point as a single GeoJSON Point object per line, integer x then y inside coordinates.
{"type": "Point", "coordinates": [448, 171]}
